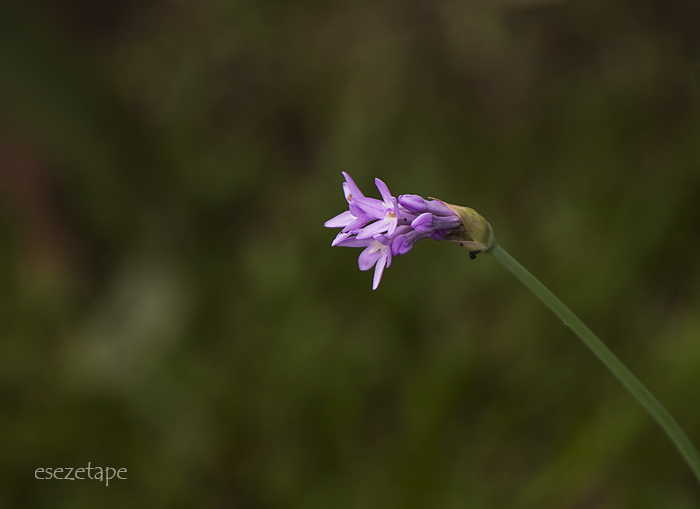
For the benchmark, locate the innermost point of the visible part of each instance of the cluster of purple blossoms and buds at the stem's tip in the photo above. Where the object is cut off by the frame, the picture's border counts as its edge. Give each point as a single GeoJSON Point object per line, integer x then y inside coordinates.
{"type": "Point", "coordinates": [389, 227]}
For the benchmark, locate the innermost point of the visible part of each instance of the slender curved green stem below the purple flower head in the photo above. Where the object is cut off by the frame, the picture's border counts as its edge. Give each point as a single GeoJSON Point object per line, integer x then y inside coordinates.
{"type": "Point", "coordinates": [658, 412]}
